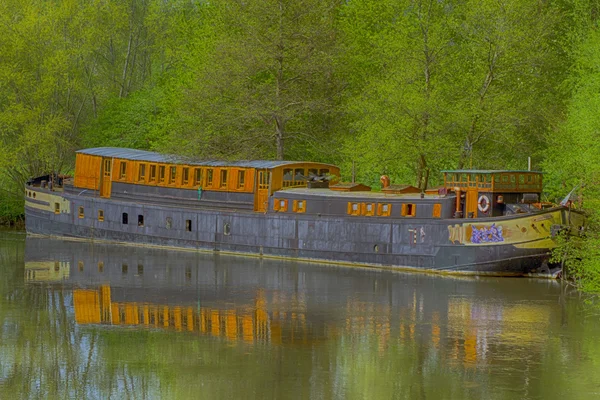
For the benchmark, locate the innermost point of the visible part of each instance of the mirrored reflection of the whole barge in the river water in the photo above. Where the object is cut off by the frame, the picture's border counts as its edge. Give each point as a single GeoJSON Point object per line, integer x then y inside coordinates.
{"type": "Point", "coordinates": [264, 301]}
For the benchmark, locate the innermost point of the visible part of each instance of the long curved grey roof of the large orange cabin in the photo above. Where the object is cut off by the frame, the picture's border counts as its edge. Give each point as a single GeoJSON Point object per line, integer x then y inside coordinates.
{"type": "Point", "coordinates": [151, 156]}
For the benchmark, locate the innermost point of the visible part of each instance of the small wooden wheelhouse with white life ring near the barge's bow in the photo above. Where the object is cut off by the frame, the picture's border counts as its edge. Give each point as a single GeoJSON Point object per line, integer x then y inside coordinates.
{"type": "Point", "coordinates": [486, 192]}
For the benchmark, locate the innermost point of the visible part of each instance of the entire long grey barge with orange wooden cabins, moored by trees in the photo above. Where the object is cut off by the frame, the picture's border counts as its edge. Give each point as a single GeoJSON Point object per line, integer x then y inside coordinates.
{"type": "Point", "coordinates": [481, 222]}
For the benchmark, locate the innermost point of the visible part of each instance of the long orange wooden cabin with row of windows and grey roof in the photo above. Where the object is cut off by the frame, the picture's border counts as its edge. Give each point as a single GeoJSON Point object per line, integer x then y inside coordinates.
{"type": "Point", "coordinates": [99, 168]}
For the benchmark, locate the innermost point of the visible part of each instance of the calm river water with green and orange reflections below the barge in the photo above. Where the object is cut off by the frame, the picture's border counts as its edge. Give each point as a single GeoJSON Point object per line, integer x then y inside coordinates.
{"type": "Point", "coordinates": [99, 321]}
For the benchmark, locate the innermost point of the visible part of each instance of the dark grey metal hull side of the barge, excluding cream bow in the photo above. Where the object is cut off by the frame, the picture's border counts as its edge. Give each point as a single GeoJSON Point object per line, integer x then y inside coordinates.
{"type": "Point", "coordinates": [354, 240]}
